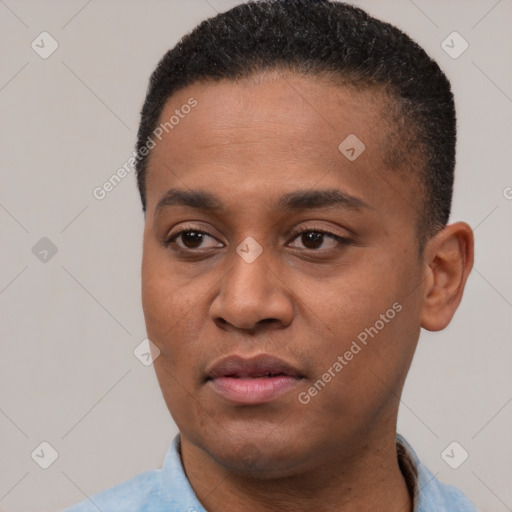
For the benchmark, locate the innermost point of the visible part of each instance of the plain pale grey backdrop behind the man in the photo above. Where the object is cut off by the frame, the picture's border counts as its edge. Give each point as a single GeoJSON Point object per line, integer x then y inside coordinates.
{"type": "Point", "coordinates": [68, 375]}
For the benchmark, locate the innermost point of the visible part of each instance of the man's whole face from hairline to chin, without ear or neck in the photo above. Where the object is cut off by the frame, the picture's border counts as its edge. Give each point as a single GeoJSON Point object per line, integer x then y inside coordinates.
{"type": "Point", "coordinates": [332, 269]}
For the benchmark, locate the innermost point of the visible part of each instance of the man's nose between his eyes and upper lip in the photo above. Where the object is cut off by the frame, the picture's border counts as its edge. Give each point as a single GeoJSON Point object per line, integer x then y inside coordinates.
{"type": "Point", "coordinates": [252, 296]}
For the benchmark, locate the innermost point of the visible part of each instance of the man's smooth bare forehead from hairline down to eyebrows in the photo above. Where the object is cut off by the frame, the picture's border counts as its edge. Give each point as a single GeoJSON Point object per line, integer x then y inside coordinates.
{"type": "Point", "coordinates": [271, 131]}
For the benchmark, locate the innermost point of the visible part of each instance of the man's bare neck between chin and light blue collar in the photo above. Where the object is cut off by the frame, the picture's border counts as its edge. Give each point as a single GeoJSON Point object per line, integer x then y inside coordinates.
{"type": "Point", "coordinates": [368, 479]}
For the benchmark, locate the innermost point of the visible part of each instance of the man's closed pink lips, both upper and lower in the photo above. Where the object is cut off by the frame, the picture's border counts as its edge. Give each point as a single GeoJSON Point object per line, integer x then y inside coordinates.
{"type": "Point", "coordinates": [254, 380]}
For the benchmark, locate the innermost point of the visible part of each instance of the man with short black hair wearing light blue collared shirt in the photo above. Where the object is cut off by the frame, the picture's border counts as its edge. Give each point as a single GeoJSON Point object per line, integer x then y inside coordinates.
{"type": "Point", "coordinates": [295, 164]}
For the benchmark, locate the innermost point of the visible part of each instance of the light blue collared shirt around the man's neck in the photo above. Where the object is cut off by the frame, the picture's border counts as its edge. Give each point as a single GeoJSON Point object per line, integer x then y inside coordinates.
{"type": "Point", "coordinates": [168, 490]}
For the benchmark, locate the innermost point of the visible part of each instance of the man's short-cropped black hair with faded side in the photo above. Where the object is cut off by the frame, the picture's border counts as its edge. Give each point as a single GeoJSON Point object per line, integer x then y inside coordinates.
{"type": "Point", "coordinates": [332, 38]}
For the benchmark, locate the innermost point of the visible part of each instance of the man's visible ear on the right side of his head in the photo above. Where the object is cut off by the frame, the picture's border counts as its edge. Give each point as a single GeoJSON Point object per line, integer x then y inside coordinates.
{"type": "Point", "coordinates": [448, 261]}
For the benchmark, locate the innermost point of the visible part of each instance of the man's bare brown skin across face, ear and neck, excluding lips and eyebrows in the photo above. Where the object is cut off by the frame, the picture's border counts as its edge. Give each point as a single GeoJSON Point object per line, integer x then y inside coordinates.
{"type": "Point", "coordinates": [249, 143]}
